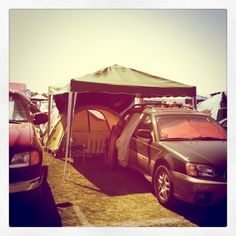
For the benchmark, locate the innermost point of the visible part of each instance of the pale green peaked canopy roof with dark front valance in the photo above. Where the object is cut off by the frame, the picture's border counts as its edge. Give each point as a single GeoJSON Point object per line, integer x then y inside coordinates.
{"type": "Point", "coordinates": [121, 80]}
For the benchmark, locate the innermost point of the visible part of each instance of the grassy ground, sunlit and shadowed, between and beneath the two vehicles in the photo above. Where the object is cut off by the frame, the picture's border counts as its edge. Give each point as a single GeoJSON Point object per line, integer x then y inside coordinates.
{"type": "Point", "coordinates": [96, 196]}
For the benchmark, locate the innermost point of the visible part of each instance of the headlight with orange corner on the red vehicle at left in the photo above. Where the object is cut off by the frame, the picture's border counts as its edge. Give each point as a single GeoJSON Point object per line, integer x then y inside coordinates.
{"type": "Point", "coordinates": [24, 159]}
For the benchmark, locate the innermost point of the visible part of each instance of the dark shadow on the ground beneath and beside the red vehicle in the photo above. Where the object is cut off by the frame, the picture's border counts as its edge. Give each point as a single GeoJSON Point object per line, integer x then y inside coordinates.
{"type": "Point", "coordinates": [28, 212]}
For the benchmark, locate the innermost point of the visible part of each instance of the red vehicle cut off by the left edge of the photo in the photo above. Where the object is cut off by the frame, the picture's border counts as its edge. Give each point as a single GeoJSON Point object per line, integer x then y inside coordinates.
{"type": "Point", "coordinates": [25, 150]}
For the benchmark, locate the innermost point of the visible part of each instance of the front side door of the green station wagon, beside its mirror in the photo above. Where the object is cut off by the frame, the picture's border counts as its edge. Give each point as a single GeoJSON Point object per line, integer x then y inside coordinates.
{"type": "Point", "coordinates": [140, 145]}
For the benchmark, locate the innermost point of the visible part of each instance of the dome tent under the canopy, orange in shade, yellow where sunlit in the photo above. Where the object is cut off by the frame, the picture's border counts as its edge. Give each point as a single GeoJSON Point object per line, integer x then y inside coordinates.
{"type": "Point", "coordinates": [90, 127]}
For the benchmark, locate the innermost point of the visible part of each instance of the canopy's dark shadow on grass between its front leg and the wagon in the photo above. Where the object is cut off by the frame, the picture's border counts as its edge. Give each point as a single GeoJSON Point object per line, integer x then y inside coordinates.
{"type": "Point", "coordinates": [119, 181]}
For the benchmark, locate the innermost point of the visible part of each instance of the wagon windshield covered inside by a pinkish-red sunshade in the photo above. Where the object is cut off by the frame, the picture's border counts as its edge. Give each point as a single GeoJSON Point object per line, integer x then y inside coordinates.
{"type": "Point", "coordinates": [189, 128]}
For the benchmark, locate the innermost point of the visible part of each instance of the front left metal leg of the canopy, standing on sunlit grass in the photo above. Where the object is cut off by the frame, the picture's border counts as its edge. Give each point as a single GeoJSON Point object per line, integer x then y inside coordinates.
{"type": "Point", "coordinates": [70, 113]}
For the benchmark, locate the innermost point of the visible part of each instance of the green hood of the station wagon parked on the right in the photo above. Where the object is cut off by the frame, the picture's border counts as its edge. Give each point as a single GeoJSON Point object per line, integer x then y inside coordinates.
{"type": "Point", "coordinates": [205, 152]}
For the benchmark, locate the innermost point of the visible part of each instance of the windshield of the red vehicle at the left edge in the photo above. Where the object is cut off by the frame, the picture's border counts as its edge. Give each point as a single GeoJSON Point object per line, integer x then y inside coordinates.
{"type": "Point", "coordinates": [17, 112]}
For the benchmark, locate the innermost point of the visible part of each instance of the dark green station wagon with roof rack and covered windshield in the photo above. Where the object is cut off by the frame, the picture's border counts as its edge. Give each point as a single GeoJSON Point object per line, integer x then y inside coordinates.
{"type": "Point", "coordinates": [181, 151]}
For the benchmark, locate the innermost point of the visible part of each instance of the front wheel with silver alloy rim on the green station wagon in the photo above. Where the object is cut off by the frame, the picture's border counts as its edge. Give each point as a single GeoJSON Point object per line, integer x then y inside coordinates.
{"type": "Point", "coordinates": [163, 186]}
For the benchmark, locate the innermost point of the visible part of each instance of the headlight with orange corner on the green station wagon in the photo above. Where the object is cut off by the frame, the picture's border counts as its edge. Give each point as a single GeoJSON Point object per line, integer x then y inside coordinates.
{"type": "Point", "coordinates": [198, 170]}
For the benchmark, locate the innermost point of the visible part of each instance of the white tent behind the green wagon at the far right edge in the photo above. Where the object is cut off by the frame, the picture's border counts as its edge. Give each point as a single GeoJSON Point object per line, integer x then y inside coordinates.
{"type": "Point", "coordinates": [215, 106]}
